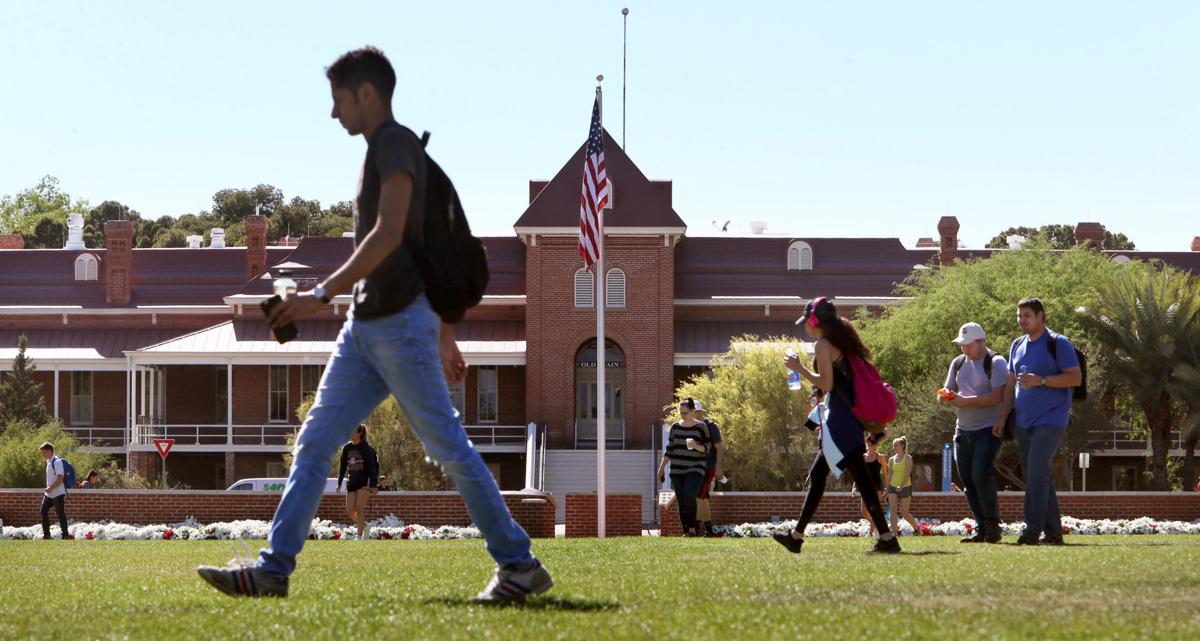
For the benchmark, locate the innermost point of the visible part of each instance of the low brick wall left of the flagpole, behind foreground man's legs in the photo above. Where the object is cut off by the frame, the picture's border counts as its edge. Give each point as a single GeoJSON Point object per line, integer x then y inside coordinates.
{"type": "Point", "coordinates": [535, 512]}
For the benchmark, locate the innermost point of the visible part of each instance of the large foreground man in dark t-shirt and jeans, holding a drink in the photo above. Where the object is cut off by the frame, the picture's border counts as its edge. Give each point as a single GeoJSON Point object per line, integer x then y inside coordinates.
{"type": "Point", "coordinates": [393, 343]}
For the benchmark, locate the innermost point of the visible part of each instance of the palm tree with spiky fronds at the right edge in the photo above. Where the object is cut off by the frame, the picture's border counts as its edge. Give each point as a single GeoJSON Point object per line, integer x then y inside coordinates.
{"type": "Point", "coordinates": [1145, 321]}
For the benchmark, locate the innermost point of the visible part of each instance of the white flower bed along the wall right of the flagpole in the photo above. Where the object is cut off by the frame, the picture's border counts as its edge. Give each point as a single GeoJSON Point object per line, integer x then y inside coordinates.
{"type": "Point", "coordinates": [967, 528]}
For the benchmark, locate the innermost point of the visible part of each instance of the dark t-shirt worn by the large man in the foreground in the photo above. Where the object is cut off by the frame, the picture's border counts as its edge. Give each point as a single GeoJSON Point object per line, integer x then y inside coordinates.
{"type": "Point", "coordinates": [397, 283]}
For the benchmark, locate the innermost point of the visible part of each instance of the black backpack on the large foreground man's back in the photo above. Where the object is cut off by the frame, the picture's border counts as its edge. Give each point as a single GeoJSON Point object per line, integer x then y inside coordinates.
{"type": "Point", "coordinates": [452, 261]}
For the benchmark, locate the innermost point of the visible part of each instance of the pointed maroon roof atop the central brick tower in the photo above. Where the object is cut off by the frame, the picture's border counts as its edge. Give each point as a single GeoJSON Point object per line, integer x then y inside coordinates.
{"type": "Point", "coordinates": [637, 200]}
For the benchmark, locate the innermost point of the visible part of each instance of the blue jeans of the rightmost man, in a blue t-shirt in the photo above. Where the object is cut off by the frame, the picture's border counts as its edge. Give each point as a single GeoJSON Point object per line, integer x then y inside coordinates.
{"type": "Point", "coordinates": [1037, 447]}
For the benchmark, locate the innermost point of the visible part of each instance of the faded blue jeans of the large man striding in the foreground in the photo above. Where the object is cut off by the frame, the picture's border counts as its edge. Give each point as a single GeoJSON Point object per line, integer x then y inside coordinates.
{"type": "Point", "coordinates": [397, 355]}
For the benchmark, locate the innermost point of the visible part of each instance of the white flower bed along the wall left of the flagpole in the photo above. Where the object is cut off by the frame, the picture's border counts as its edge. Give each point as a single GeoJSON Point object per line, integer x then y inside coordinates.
{"type": "Point", "coordinates": [389, 528]}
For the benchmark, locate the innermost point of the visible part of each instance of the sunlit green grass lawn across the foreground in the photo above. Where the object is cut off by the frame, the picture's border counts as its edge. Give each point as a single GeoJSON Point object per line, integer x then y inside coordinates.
{"type": "Point", "coordinates": [1097, 588]}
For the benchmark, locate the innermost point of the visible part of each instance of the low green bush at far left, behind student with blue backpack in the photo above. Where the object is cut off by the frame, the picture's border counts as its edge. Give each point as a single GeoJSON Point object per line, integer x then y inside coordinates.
{"type": "Point", "coordinates": [21, 463]}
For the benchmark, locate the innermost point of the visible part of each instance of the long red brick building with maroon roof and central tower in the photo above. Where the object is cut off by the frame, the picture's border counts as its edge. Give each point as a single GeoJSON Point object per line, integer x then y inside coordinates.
{"type": "Point", "coordinates": [133, 344]}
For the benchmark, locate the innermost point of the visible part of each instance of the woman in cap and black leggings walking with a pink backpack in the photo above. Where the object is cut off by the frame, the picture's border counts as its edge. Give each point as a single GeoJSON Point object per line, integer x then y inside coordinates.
{"type": "Point", "coordinates": [842, 433]}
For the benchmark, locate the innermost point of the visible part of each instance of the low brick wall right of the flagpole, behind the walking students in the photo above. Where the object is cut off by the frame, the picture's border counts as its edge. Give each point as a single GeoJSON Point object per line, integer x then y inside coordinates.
{"type": "Point", "coordinates": [734, 508]}
